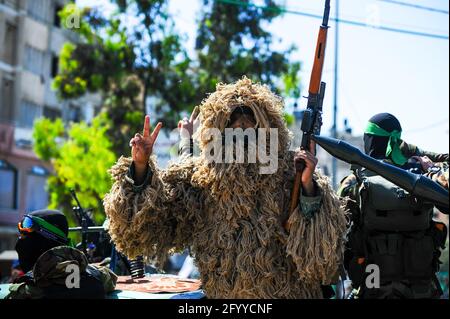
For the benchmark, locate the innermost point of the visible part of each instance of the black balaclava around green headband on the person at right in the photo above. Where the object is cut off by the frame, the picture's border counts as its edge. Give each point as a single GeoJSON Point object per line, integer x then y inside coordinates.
{"type": "Point", "coordinates": [375, 146]}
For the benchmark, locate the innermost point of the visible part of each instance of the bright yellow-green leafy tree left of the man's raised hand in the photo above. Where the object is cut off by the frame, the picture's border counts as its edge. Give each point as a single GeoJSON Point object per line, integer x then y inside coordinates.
{"type": "Point", "coordinates": [81, 156]}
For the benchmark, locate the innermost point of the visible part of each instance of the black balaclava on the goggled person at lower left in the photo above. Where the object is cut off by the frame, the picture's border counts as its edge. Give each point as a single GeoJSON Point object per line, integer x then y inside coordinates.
{"type": "Point", "coordinates": [33, 245]}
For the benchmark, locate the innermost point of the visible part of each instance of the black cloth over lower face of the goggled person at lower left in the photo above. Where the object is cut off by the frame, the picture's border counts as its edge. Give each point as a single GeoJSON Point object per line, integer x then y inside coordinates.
{"type": "Point", "coordinates": [30, 248]}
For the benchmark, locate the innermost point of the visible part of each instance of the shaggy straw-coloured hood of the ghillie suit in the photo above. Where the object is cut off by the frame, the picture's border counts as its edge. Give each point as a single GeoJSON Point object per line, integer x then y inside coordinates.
{"type": "Point", "coordinates": [237, 187]}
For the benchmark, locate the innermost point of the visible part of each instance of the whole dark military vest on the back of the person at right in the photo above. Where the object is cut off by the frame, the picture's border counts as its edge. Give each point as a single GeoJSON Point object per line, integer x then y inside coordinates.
{"type": "Point", "coordinates": [394, 231]}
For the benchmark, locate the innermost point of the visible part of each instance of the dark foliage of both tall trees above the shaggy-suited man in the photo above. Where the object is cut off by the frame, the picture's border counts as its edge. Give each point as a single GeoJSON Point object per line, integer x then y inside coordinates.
{"type": "Point", "coordinates": [129, 61]}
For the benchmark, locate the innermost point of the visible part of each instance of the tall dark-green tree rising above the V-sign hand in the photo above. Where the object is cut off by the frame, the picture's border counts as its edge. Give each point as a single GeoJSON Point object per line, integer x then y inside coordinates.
{"type": "Point", "coordinates": [127, 62]}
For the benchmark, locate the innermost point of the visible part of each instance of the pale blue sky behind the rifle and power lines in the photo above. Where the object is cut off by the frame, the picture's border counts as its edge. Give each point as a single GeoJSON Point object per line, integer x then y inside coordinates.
{"type": "Point", "coordinates": [379, 71]}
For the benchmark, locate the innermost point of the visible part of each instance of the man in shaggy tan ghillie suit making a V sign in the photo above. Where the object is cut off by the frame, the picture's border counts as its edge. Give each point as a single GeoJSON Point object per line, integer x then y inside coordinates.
{"type": "Point", "coordinates": [231, 216]}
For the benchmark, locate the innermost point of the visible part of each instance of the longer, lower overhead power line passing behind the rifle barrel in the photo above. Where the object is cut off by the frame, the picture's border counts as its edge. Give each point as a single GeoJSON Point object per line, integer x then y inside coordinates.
{"type": "Point", "coordinates": [349, 22]}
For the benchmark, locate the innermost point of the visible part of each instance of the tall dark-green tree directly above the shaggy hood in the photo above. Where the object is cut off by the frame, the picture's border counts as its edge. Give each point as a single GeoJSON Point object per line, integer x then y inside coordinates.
{"type": "Point", "coordinates": [232, 41]}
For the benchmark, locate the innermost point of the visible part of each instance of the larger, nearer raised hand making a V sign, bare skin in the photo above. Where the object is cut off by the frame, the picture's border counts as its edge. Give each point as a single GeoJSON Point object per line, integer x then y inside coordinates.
{"type": "Point", "coordinates": [142, 146]}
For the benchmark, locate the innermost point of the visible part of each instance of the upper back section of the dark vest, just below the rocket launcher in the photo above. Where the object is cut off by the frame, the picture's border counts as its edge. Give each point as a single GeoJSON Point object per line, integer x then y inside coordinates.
{"type": "Point", "coordinates": [386, 207]}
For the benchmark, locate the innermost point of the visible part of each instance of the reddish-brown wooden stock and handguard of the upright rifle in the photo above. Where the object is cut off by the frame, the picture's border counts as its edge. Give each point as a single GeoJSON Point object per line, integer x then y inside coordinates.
{"type": "Point", "coordinates": [314, 91]}
